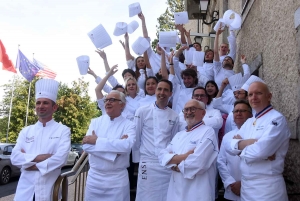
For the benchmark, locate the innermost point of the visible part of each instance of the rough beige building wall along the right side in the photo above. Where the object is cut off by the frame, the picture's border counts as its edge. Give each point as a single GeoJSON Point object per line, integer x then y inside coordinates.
{"type": "Point", "coordinates": [268, 28]}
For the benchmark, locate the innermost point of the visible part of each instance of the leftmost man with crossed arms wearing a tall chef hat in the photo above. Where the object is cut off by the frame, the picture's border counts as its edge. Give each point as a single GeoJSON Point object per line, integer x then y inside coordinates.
{"type": "Point", "coordinates": [41, 149]}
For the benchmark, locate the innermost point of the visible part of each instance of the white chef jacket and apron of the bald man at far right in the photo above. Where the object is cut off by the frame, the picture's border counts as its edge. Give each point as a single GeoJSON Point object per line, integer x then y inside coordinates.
{"type": "Point", "coordinates": [272, 134]}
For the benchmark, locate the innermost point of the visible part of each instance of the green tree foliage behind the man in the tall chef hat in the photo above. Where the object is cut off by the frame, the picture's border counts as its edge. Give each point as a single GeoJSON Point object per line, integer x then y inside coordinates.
{"type": "Point", "coordinates": [75, 108]}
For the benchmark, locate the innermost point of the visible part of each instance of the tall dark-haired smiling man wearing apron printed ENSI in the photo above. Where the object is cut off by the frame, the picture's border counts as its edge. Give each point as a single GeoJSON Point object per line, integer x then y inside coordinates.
{"type": "Point", "coordinates": [156, 124]}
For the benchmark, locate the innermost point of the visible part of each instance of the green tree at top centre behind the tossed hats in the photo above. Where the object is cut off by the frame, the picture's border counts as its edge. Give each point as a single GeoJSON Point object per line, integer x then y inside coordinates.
{"type": "Point", "coordinates": [166, 20]}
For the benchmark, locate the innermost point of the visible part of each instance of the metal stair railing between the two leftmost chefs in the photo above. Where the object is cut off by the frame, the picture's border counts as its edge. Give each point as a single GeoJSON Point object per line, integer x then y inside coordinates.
{"type": "Point", "coordinates": [79, 173]}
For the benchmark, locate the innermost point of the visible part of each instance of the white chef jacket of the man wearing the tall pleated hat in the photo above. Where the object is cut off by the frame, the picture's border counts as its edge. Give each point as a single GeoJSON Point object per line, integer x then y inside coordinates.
{"type": "Point", "coordinates": [54, 139]}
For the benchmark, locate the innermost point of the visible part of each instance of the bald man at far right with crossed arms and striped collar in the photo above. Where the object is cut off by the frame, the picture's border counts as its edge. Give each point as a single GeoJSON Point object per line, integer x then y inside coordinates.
{"type": "Point", "coordinates": [262, 144]}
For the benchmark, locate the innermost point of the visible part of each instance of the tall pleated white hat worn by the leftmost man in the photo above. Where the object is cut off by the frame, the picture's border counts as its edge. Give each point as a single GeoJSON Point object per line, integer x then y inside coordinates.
{"type": "Point", "coordinates": [46, 88]}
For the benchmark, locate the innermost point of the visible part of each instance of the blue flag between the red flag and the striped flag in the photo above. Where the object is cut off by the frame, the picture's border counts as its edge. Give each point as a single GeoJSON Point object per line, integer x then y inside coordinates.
{"type": "Point", "coordinates": [26, 67]}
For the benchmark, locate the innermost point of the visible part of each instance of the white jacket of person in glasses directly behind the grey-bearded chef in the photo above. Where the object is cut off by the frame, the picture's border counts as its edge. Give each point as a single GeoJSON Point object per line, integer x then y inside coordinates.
{"type": "Point", "coordinates": [212, 118]}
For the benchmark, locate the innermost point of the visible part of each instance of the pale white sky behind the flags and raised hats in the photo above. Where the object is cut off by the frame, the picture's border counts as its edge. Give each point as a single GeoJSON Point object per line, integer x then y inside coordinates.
{"type": "Point", "coordinates": [56, 32]}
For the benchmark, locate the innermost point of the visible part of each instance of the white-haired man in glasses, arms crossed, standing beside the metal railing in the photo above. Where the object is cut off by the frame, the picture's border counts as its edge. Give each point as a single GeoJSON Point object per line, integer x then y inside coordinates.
{"type": "Point", "coordinates": [108, 142]}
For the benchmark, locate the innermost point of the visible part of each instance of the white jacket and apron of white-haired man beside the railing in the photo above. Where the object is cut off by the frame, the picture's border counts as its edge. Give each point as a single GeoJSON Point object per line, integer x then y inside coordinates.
{"type": "Point", "coordinates": [109, 157]}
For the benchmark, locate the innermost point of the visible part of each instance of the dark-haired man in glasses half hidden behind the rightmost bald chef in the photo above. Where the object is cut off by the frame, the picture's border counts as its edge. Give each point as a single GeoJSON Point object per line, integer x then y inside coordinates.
{"type": "Point", "coordinates": [228, 165]}
